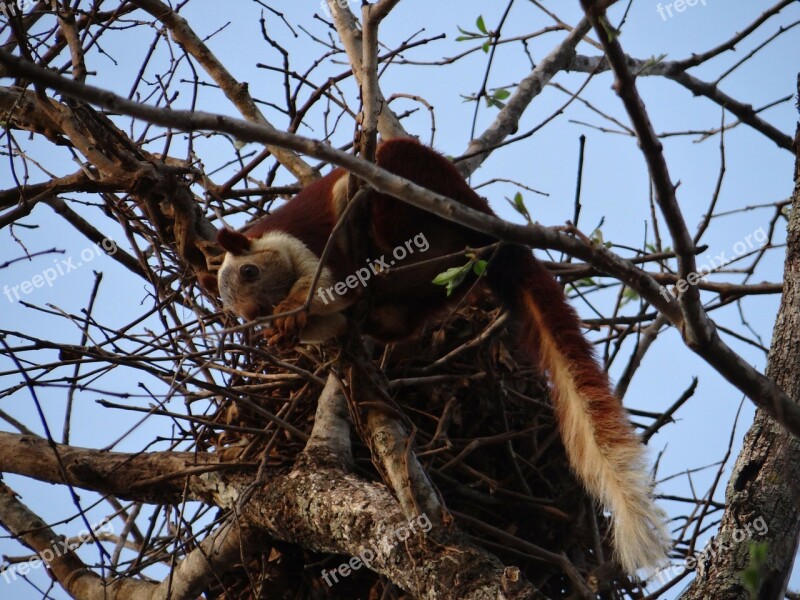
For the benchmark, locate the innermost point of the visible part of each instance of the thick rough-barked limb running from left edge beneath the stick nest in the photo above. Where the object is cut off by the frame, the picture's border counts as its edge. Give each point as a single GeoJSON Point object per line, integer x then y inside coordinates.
{"type": "Point", "coordinates": [316, 506]}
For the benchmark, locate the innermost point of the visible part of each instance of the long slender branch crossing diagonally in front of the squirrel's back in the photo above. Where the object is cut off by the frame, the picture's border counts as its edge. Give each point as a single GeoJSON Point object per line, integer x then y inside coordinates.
{"type": "Point", "coordinates": [762, 391]}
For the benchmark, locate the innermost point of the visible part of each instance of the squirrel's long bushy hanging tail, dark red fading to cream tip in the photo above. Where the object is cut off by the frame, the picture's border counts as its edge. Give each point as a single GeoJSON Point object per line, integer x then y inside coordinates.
{"type": "Point", "coordinates": [601, 445]}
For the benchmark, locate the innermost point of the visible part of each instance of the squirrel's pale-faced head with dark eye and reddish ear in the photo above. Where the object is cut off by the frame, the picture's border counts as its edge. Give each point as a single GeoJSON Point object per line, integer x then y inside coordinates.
{"type": "Point", "coordinates": [256, 274]}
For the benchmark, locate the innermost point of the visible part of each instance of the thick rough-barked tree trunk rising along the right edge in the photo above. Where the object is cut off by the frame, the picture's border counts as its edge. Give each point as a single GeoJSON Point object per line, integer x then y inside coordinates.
{"type": "Point", "coordinates": [762, 500]}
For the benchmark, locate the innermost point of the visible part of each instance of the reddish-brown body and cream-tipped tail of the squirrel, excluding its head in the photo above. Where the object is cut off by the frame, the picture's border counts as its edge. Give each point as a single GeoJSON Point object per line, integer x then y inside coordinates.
{"type": "Point", "coordinates": [600, 442]}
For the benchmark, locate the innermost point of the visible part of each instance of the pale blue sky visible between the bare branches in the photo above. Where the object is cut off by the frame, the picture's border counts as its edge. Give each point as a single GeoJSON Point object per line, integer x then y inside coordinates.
{"type": "Point", "coordinates": [615, 189]}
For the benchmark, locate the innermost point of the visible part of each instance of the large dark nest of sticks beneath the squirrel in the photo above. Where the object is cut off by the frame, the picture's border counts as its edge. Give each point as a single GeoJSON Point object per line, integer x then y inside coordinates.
{"type": "Point", "coordinates": [484, 430]}
